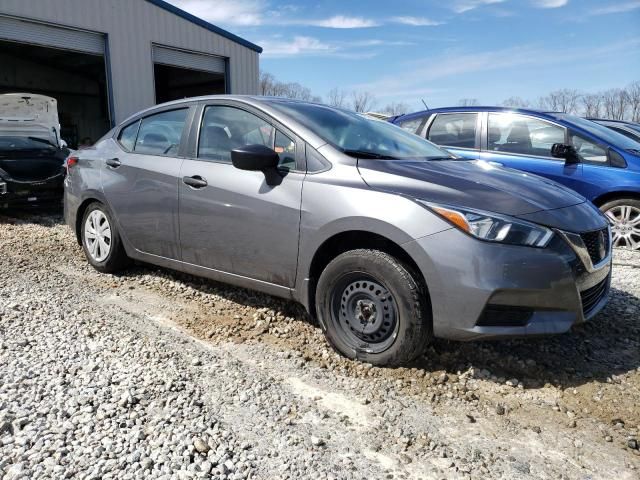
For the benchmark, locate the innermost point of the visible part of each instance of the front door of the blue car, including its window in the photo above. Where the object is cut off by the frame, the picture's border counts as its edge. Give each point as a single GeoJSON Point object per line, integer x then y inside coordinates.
{"type": "Point", "coordinates": [524, 142]}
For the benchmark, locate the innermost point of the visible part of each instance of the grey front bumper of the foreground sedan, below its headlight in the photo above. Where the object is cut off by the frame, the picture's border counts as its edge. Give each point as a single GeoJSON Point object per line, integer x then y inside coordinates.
{"type": "Point", "coordinates": [487, 290]}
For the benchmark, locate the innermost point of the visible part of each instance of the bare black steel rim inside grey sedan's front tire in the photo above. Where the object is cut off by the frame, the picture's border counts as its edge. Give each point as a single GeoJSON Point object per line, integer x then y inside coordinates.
{"type": "Point", "coordinates": [365, 313]}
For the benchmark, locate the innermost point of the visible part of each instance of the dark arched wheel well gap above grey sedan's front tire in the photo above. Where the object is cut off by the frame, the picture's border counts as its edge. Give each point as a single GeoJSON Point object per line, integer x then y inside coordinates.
{"type": "Point", "coordinates": [345, 241]}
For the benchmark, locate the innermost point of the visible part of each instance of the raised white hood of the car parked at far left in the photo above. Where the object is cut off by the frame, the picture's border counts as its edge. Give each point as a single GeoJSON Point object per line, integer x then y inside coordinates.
{"type": "Point", "coordinates": [29, 115]}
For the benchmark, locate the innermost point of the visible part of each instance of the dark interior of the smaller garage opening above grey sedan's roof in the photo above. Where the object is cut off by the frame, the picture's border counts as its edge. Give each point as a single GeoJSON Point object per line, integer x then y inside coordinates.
{"type": "Point", "coordinates": [174, 83]}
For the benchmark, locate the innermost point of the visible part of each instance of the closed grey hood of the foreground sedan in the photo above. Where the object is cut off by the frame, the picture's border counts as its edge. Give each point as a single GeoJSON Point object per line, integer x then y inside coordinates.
{"type": "Point", "coordinates": [472, 184]}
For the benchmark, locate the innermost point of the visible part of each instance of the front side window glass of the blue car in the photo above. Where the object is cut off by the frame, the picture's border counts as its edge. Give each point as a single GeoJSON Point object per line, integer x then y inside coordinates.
{"type": "Point", "coordinates": [513, 133]}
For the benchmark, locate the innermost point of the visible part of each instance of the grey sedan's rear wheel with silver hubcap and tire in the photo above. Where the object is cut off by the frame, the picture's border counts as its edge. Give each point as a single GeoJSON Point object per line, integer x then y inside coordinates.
{"type": "Point", "coordinates": [100, 240]}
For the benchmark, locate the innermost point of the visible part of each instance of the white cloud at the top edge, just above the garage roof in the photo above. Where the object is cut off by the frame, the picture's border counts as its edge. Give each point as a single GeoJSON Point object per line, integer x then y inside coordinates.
{"type": "Point", "coordinates": [229, 12]}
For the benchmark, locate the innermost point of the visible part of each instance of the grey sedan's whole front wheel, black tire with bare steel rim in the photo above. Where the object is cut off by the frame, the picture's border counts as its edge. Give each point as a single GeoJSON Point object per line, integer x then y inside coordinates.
{"type": "Point", "coordinates": [375, 293]}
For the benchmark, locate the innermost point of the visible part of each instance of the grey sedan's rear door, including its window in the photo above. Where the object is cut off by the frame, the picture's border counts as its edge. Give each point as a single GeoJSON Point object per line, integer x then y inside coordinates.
{"type": "Point", "coordinates": [140, 180]}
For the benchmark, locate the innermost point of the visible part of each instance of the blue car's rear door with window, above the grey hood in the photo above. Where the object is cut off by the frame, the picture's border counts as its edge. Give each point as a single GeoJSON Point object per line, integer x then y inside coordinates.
{"type": "Point", "coordinates": [457, 132]}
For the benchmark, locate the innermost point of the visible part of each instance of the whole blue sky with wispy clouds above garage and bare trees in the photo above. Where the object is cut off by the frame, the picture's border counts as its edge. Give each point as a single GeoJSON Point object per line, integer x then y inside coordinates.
{"type": "Point", "coordinates": [439, 51]}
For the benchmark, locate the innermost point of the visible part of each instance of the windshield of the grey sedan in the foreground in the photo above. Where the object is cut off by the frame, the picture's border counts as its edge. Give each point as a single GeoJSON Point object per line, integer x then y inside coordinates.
{"type": "Point", "coordinates": [359, 136]}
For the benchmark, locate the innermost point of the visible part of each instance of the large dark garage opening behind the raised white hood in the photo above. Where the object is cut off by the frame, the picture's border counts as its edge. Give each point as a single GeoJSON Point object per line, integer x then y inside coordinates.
{"type": "Point", "coordinates": [78, 81]}
